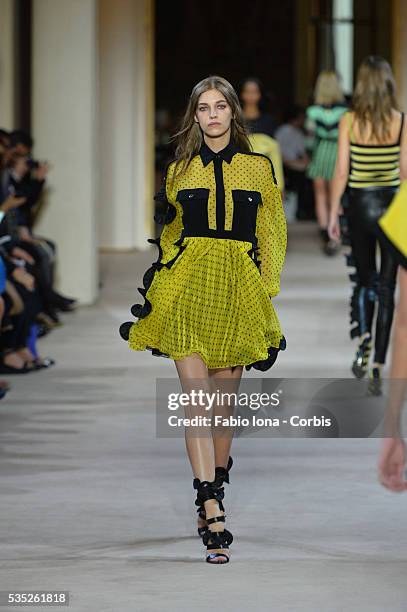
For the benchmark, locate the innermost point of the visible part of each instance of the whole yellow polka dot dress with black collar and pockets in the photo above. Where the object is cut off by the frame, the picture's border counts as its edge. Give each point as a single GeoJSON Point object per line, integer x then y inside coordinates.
{"type": "Point", "coordinates": [220, 256]}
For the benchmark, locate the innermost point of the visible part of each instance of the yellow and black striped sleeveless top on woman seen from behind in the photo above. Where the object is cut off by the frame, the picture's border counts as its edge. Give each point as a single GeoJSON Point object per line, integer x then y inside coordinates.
{"type": "Point", "coordinates": [376, 165]}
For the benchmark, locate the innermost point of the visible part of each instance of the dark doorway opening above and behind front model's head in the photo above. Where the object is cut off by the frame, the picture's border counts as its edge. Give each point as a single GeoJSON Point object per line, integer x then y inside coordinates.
{"type": "Point", "coordinates": [232, 38]}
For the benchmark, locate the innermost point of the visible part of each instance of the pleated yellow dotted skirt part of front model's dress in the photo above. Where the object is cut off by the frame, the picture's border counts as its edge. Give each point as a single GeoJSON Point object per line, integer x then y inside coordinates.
{"type": "Point", "coordinates": [212, 301]}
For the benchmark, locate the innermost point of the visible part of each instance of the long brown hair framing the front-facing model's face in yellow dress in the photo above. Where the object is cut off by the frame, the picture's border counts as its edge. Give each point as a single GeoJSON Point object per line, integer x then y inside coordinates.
{"type": "Point", "coordinates": [189, 137]}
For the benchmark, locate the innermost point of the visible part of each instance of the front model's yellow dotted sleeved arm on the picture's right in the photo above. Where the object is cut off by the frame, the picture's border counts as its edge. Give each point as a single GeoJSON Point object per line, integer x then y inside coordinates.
{"type": "Point", "coordinates": [271, 232]}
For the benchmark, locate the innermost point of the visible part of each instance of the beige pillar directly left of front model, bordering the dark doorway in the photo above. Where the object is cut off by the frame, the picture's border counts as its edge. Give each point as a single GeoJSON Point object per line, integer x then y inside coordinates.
{"type": "Point", "coordinates": [126, 128]}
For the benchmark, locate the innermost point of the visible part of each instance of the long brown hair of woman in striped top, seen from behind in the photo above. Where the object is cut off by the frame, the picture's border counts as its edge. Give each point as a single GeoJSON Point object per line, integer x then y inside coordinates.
{"type": "Point", "coordinates": [374, 97]}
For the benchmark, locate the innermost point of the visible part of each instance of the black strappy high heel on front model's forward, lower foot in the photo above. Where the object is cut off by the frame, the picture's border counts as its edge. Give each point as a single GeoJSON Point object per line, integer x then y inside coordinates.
{"type": "Point", "coordinates": [215, 541]}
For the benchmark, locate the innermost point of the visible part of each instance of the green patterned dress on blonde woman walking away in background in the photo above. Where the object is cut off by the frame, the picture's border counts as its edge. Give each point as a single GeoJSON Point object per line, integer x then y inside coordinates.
{"type": "Point", "coordinates": [323, 122]}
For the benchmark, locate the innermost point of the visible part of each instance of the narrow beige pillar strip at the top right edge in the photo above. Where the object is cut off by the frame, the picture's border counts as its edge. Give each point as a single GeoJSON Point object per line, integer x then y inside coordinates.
{"type": "Point", "coordinates": [399, 51]}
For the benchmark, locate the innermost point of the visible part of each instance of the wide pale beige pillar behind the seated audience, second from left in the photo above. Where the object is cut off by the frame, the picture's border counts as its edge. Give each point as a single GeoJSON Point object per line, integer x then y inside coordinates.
{"type": "Point", "coordinates": [64, 127]}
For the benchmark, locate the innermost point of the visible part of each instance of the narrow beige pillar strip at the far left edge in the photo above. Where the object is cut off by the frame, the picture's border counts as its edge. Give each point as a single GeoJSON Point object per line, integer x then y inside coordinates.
{"type": "Point", "coordinates": [7, 56]}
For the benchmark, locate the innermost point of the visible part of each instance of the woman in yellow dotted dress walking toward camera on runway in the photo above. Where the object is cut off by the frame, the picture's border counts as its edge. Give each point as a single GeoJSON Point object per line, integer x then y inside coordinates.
{"type": "Point", "coordinates": [208, 296]}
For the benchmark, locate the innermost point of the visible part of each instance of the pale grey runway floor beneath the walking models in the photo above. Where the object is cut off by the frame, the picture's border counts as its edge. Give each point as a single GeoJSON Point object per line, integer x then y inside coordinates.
{"type": "Point", "coordinates": [92, 502]}
